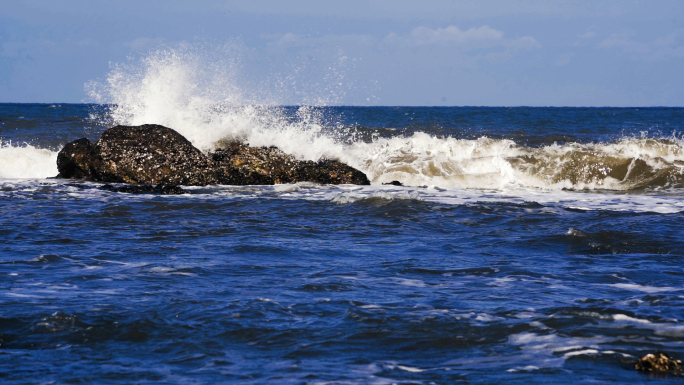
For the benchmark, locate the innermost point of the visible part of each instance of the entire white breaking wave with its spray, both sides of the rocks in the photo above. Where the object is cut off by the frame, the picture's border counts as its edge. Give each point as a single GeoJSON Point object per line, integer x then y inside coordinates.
{"type": "Point", "coordinates": [199, 95]}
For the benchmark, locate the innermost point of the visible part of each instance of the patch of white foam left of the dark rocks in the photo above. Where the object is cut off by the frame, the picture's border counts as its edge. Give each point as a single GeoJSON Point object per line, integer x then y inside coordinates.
{"type": "Point", "coordinates": [27, 162]}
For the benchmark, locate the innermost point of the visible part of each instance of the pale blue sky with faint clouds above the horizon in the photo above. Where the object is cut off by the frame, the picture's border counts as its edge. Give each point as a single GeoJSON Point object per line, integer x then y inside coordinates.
{"type": "Point", "coordinates": [383, 52]}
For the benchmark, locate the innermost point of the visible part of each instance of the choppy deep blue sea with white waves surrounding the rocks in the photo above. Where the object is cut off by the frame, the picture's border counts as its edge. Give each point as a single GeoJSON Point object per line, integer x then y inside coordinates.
{"type": "Point", "coordinates": [524, 245]}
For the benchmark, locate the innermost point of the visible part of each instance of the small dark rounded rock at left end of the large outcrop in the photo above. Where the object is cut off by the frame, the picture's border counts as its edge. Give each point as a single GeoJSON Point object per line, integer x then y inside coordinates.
{"type": "Point", "coordinates": [78, 159]}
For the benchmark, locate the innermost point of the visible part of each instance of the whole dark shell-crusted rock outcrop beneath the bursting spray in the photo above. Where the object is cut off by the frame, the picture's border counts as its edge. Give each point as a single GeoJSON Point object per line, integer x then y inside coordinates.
{"type": "Point", "coordinates": [157, 155]}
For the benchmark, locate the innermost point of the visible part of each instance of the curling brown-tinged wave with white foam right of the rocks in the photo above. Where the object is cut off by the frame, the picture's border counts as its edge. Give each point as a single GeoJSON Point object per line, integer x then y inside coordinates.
{"type": "Point", "coordinates": [421, 159]}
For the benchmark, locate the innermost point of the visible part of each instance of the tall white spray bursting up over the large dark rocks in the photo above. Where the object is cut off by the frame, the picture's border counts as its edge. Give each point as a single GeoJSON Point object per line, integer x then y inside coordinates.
{"type": "Point", "coordinates": [198, 95]}
